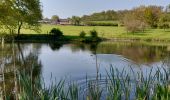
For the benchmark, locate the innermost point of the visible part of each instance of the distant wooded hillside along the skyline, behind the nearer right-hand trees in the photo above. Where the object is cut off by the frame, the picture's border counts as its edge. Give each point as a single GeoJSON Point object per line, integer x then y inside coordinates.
{"type": "Point", "coordinates": [119, 15]}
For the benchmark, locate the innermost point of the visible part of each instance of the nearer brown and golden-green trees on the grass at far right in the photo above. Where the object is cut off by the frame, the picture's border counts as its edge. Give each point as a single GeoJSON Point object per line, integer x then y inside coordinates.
{"type": "Point", "coordinates": [140, 18]}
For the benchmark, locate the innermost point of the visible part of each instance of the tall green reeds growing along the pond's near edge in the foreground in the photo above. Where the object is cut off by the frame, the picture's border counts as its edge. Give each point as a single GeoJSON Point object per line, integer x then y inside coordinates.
{"type": "Point", "coordinates": [120, 86]}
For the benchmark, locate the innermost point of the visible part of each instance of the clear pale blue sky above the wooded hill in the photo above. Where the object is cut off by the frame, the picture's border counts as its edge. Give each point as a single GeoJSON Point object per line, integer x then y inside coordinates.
{"type": "Point", "coordinates": [68, 8]}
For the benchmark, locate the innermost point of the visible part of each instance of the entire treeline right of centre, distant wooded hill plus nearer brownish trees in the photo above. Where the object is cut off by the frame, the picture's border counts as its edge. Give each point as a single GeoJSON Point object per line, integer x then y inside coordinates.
{"type": "Point", "coordinates": [136, 19]}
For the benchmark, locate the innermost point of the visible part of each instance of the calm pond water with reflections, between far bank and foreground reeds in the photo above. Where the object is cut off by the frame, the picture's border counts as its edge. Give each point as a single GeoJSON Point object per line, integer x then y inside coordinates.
{"type": "Point", "coordinates": [77, 61]}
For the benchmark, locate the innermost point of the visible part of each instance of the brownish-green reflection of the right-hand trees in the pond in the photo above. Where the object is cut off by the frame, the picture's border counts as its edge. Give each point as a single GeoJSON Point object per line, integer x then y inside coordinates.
{"type": "Point", "coordinates": [138, 52]}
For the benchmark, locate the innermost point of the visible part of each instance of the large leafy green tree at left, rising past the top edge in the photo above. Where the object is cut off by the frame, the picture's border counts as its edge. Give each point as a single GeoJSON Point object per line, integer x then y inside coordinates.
{"type": "Point", "coordinates": [19, 13]}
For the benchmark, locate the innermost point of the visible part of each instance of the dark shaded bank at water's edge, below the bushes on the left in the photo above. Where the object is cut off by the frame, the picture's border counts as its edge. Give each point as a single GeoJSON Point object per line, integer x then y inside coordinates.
{"type": "Point", "coordinates": [48, 38]}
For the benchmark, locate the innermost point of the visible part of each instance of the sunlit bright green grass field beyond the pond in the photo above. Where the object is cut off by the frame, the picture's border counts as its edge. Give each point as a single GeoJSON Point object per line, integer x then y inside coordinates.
{"type": "Point", "coordinates": [109, 32]}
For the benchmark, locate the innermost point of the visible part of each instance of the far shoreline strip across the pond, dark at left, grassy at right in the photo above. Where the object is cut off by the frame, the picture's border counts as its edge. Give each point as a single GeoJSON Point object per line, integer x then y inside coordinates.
{"type": "Point", "coordinates": [45, 38]}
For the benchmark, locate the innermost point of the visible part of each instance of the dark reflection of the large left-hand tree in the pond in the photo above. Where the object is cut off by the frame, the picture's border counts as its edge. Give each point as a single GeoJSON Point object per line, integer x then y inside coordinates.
{"type": "Point", "coordinates": [22, 62]}
